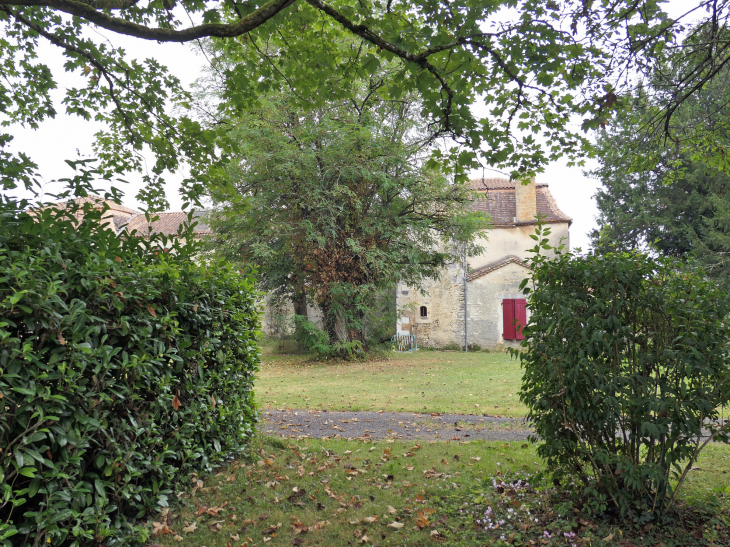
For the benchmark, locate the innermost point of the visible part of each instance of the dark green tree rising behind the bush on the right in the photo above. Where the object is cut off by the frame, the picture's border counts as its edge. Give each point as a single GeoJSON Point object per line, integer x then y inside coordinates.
{"type": "Point", "coordinates": [656, 194]}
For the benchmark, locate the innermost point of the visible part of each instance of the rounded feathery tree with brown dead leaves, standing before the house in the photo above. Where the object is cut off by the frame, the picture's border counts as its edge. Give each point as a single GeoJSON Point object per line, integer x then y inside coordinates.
{"type": "Point", "coordinates": [336, 203]}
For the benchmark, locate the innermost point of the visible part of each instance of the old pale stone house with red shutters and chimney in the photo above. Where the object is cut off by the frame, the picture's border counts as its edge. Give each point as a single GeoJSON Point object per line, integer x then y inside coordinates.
{"type": "Point", "coordinates": [495, 307]}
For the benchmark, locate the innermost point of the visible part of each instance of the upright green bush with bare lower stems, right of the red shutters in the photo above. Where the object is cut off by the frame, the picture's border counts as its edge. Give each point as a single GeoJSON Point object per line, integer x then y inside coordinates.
{"type": "Point", "coordinates": [626, 363]}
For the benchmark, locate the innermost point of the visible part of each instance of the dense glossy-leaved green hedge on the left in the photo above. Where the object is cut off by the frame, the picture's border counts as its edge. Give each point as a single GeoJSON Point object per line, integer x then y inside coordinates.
{"type": "Point", "coordinates": [122, 369]}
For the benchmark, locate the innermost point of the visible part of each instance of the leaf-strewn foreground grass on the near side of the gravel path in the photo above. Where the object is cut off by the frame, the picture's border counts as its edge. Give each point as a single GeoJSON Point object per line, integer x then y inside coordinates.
{"type": "Point", "coordinates": [393, 493]}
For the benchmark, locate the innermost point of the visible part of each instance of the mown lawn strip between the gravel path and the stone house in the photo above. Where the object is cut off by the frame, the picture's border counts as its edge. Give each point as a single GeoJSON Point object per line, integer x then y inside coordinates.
{"type": "Point", "coordinates": [423, 381]}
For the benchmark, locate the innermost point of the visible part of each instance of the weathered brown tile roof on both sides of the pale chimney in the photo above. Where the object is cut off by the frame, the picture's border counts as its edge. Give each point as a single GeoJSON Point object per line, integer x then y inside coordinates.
{"type": "Point", "coordinates": [497, 198]}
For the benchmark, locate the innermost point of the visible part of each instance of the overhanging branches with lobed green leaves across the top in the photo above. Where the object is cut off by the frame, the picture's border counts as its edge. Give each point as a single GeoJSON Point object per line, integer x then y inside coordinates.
{"type": "Point", "coordinates": [533, 63]}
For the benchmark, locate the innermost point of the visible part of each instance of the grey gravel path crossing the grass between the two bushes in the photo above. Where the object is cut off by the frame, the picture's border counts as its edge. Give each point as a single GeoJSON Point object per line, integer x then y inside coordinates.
{"type": "Point", "coordinates": [392, 425]}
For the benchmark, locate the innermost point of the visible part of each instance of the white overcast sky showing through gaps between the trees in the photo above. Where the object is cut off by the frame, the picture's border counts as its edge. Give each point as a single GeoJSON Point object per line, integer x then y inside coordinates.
{"type": "Point", "coordinates": [67, 136]}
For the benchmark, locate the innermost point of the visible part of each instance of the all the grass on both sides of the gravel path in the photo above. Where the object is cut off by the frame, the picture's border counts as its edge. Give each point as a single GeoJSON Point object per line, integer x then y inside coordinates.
{"type": "Point", "coordinates": [396, 493]}
